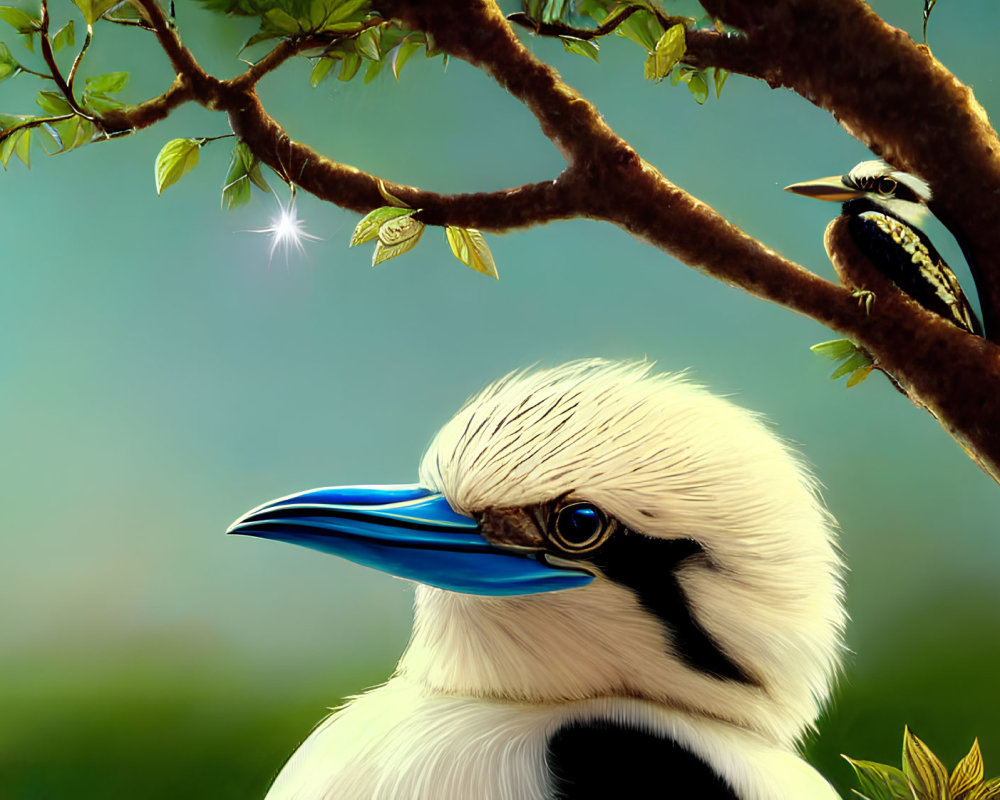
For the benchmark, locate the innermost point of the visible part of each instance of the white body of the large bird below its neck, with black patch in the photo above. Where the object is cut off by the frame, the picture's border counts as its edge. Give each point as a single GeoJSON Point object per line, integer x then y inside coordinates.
{"type": "Point", "coordinates": [396, 743]}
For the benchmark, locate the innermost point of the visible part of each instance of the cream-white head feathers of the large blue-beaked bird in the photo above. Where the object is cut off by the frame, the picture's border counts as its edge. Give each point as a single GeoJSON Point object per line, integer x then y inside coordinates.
{"type": "Point", "coordinates": [667, 459]}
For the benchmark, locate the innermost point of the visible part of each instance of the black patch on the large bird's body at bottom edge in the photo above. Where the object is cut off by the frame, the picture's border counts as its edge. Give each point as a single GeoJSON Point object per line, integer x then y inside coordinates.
{"type": "Point", "coordinates": [601, 760]}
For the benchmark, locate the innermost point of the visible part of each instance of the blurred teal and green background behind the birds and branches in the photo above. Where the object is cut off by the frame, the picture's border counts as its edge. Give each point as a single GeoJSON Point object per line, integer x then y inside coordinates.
{"type": "Point", "coordinates": [161, 376]}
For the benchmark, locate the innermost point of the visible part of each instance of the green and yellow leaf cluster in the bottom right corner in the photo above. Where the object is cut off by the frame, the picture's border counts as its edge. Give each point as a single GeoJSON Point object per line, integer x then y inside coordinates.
{"type": "Point", "coordinates": [924, 777]}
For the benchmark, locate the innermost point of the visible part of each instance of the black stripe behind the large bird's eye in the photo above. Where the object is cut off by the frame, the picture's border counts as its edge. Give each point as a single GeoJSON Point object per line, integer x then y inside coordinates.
{"type": "Point", "coordinates": [648, 566]}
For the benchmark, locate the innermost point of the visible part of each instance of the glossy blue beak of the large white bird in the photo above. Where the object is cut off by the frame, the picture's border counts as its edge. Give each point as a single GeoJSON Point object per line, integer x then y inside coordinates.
{"type": "Point", "coordinates": [409, 532]}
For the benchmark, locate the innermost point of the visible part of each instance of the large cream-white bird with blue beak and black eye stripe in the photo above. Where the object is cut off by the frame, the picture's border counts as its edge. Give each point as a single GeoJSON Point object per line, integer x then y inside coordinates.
{"type": "Point", "coordinates": [627, 587]}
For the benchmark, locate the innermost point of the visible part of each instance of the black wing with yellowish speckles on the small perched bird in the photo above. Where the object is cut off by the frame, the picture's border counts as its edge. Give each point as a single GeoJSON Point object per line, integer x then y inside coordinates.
{"type": "Point", "coordinates": [906, 256]}
